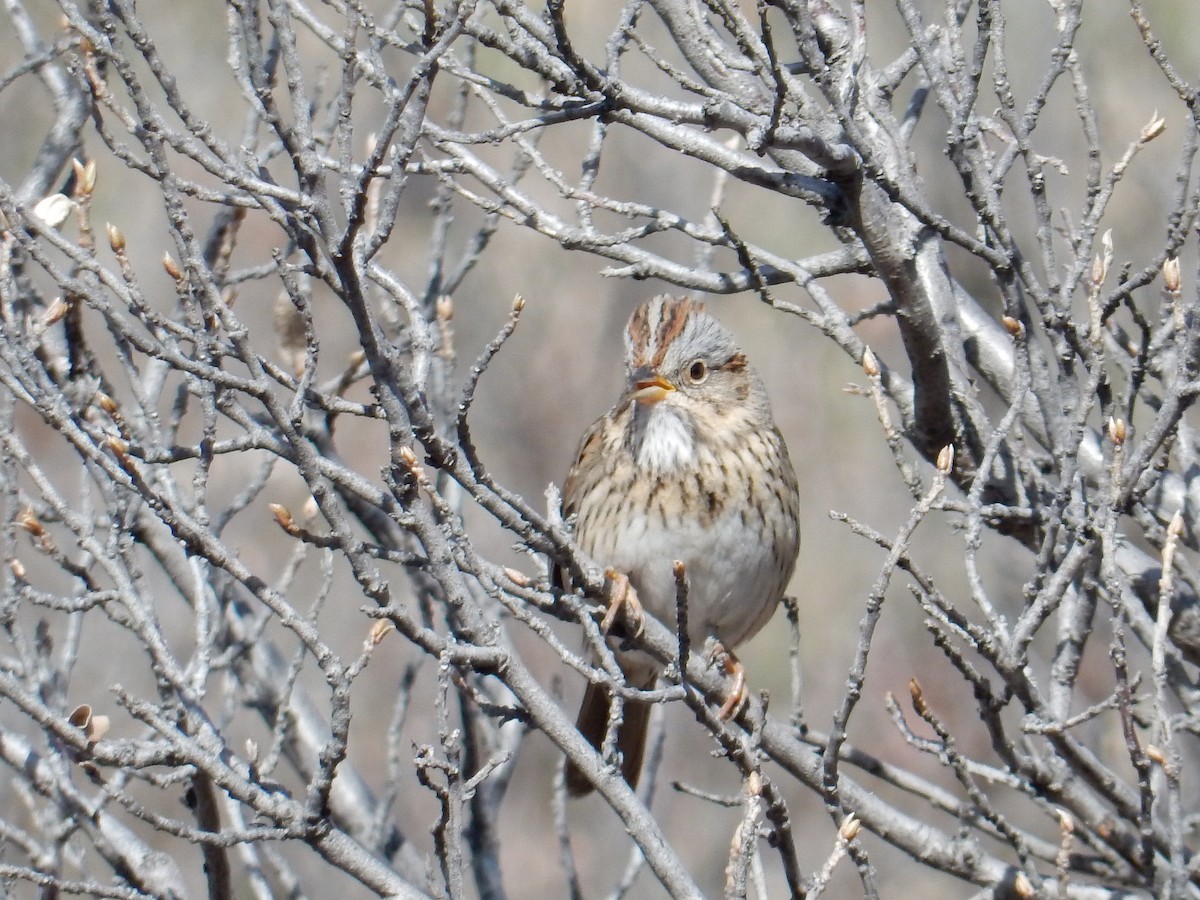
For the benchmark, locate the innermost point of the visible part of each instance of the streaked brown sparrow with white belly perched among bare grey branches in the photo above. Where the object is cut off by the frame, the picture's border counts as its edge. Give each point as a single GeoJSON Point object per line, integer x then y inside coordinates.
{"type": "Point", "coordinates": [688, 466]}
